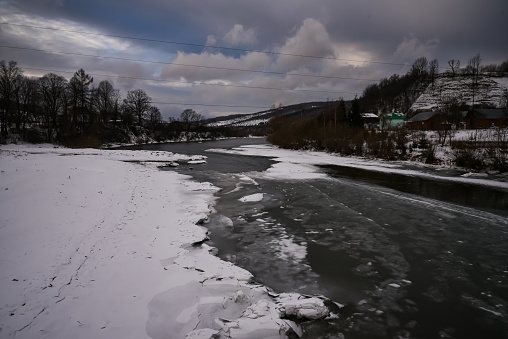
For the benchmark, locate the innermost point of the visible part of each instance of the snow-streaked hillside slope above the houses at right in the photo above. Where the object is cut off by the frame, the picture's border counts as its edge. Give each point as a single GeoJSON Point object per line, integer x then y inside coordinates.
{"type": "Point", "coordinates": [489, 91]}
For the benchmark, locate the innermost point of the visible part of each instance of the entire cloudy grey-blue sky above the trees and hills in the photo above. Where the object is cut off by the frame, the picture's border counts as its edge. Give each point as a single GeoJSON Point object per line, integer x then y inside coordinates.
{"type": "Point", "coordinates": [161, 46]}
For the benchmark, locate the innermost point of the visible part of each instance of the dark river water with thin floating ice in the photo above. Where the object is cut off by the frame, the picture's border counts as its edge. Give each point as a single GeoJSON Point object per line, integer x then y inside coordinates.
{"type": "Point", "coordinates": [407, 257]}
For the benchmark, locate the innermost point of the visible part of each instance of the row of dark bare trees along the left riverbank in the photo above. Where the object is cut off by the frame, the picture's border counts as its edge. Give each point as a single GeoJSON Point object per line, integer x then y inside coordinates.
{"type": "Point", "coordinates": [54, 109]}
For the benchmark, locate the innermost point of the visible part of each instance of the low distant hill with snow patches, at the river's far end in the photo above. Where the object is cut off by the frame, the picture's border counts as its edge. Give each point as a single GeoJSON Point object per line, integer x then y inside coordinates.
{"type": "Point", "coordinates": [260, 119]}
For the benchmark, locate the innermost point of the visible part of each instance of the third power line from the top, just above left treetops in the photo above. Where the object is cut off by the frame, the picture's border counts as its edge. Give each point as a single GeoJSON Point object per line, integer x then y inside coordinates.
{"type": "Point", "coordinates": [189, 82]}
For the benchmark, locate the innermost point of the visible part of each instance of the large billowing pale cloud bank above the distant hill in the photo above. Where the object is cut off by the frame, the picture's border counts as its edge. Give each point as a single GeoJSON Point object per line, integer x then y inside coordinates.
{"type": "Point", "coordinates": [311, 38]}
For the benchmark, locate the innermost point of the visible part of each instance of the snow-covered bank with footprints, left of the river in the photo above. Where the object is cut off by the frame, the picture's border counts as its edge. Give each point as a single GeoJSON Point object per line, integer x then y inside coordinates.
{"type": "Point", "coordinates": [99, 244]}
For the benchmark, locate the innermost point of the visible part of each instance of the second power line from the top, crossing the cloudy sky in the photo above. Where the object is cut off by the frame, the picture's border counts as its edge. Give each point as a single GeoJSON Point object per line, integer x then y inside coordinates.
{"type": "Point", "coordinates": [185, 65]}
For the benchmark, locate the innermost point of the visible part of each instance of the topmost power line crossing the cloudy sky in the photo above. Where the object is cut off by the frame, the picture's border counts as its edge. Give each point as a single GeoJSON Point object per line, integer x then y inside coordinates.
{"type": "Point", "coordinates": [202, 45]}
